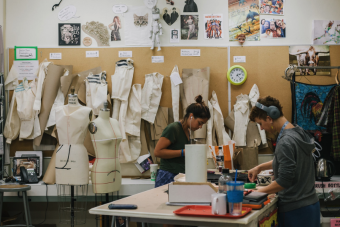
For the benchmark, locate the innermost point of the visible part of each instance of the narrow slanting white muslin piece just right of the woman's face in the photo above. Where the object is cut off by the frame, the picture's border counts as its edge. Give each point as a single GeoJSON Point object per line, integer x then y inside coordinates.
{"type": "Point", "coordinates": [222, 135]}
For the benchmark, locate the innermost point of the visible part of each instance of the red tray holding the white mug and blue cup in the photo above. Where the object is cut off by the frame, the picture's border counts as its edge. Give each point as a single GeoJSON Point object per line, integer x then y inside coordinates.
{"type": "Point", "coordinates": [205, 211]}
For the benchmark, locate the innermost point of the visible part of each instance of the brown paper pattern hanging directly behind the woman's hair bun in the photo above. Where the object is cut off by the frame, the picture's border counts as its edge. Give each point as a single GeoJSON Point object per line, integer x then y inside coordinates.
{"type": "Point", "coordinates": [195, 82]}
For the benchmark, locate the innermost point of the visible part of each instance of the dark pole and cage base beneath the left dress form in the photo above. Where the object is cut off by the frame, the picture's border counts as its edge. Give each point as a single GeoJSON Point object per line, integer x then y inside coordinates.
{"type": "Point", "coordinates": [72, 200]}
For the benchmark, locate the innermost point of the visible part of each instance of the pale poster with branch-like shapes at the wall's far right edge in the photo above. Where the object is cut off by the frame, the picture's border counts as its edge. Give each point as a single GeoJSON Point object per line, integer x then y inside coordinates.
{"type": "Point", "coordinates": [326, 32]}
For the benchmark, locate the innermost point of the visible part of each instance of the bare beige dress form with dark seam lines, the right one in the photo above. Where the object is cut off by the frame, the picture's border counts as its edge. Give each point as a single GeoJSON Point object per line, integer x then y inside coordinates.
{"type": "Point", "coordinates": [106, 136]}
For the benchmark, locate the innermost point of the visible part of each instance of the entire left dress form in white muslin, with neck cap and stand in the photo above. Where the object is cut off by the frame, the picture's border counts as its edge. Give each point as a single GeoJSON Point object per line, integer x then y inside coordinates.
{"type": "Point", "coordinates": [72, 175]}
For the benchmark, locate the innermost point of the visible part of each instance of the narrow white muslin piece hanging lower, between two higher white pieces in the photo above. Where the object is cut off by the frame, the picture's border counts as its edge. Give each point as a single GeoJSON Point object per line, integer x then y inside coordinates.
{"type": "Point", "coordinates": [134, 111]}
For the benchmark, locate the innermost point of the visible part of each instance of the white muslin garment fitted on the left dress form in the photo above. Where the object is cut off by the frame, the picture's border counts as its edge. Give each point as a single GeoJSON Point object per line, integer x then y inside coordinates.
{"type": "Point", "coordinates": [72, 163]}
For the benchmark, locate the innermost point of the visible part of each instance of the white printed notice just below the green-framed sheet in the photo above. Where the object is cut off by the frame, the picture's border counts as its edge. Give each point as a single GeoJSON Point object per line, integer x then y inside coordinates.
{"type": "Point", "coordinates": [28, 69]}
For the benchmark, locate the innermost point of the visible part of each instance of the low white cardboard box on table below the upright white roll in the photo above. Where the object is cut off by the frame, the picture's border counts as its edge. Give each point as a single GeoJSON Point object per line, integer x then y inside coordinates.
{"type": "Point", "coordinates": [185, 192]}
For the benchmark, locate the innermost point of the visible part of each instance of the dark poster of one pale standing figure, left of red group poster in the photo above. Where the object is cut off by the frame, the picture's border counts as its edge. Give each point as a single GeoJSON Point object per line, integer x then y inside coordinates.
{"type": "Point", "coordinates": [189, 27]}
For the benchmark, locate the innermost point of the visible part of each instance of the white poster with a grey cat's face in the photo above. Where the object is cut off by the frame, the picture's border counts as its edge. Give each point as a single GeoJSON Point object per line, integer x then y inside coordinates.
{"type": "Point", "coordinates": [137, 26]}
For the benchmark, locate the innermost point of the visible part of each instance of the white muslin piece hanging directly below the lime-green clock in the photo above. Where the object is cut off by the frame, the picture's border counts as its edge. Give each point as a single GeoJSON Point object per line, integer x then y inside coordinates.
{"type": "Point", "coordinates": [241, 109]}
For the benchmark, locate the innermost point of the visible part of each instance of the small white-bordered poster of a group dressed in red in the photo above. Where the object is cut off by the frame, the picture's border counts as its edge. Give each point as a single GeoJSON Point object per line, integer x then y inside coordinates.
{"type": "Point", "coordinates": [213, 26]}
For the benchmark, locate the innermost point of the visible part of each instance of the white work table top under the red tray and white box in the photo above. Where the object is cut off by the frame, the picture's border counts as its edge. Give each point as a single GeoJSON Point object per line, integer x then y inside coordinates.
{"type": "Point", "coordinates": [152, 205]}
